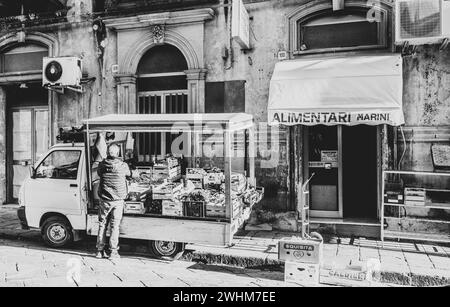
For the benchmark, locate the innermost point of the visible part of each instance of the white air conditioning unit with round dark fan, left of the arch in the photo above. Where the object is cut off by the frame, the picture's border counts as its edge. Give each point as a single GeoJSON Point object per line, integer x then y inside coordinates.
{"type": "Point", "coordinates": [62, 71]}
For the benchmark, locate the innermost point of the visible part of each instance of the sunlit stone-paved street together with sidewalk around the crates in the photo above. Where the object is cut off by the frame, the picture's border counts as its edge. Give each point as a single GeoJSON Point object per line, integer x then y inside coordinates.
{"type": "Point", "coordinates": [251, 261]}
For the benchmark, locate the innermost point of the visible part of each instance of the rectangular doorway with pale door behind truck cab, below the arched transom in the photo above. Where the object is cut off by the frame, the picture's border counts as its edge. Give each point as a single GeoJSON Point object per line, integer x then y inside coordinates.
{"type": "Point", "coordinates": [27, 133]}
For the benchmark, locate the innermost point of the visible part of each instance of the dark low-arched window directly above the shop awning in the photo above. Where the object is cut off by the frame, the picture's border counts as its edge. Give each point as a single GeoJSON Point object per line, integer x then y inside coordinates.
{"type": "Point", "coordinates": [350, 29]}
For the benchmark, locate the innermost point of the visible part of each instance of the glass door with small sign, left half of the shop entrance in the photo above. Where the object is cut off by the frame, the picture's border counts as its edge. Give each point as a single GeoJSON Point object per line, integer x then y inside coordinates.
{"type": "Point", "coordinates": [323, 163]}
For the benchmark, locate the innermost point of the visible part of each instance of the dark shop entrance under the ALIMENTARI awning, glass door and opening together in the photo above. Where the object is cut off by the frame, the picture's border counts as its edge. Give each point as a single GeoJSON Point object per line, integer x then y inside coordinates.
{"type": "Point", "coordinates": [343, 163]}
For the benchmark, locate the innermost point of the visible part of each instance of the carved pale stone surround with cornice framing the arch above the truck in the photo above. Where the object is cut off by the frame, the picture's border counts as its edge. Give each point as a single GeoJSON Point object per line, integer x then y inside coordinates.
{"type": "Point", "coordinates": [138, 34]}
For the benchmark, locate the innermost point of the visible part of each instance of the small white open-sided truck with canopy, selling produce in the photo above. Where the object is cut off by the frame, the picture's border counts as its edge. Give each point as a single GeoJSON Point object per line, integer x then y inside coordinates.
{"type": "Point", "coordinates": [58, 196]}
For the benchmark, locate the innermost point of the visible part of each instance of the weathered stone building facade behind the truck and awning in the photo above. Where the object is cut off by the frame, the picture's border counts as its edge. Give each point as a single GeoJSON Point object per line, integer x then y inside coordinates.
{"type": "Point", "coordinates": [180, 56]}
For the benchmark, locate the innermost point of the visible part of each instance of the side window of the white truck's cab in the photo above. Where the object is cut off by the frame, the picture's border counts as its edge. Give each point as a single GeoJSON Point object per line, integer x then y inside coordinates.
{"type": "Point", "coordinates": [60, 164]}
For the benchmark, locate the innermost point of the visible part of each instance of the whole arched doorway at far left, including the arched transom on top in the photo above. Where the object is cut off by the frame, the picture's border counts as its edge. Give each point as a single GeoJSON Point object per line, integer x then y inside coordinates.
{"type": "Point", "coordinates": [27, 113]}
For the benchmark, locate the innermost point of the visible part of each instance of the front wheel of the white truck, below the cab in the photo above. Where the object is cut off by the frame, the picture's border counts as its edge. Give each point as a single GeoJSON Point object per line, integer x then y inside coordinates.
{"type": "Point", "coordinates": [57, 232]}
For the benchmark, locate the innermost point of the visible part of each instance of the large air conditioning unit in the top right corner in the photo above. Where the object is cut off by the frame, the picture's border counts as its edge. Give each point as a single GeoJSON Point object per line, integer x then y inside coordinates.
{"type": "Point", "coordinates": [421, 22]}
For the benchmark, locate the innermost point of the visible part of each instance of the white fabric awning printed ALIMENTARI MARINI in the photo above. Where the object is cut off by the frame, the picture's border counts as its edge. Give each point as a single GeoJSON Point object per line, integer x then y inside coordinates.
{"type": "Point", "coordinates": [349, 90]}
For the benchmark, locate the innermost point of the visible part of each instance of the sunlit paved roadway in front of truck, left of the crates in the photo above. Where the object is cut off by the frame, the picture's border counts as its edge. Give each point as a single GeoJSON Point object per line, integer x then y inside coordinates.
{"type": "Point", "coordinates": [27, 264]}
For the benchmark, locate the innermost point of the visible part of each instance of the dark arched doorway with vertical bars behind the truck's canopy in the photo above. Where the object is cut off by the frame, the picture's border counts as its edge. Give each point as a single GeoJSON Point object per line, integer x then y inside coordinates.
{"type": "Point", "coordinates": [162, 88]}
